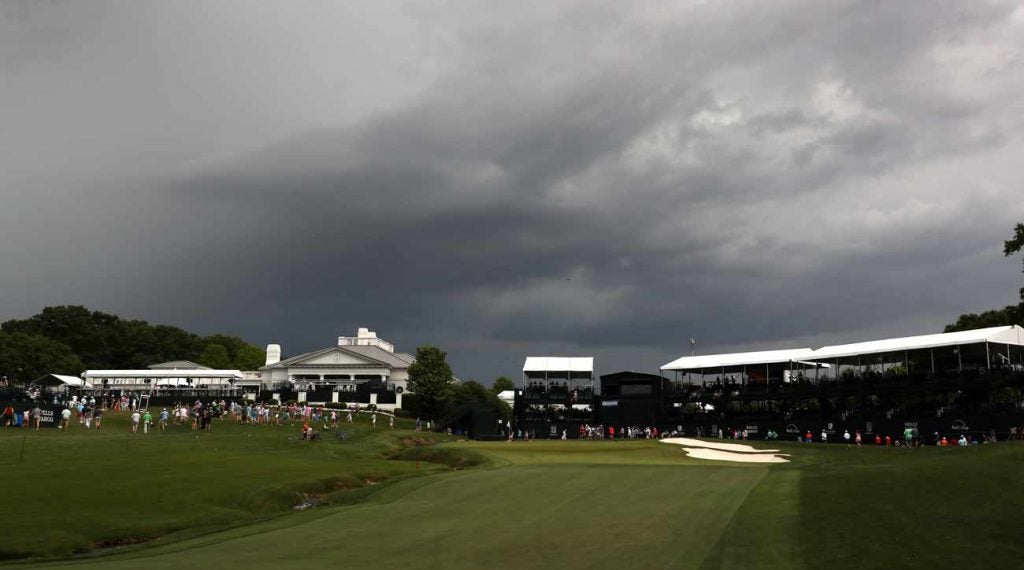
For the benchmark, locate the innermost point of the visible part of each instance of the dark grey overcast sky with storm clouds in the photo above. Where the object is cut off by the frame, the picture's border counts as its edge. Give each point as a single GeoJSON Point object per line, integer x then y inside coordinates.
{"type": "Point", "coordinates": [513, 179]}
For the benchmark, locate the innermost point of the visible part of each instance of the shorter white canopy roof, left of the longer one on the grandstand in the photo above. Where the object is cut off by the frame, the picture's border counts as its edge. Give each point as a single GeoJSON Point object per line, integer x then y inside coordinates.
{"type": "Point", "coordinates": [759, 366]}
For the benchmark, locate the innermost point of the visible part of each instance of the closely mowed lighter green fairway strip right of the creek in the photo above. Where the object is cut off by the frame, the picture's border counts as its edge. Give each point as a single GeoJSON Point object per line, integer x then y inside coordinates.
{"type": "Point", "coordinates": [520, 517]}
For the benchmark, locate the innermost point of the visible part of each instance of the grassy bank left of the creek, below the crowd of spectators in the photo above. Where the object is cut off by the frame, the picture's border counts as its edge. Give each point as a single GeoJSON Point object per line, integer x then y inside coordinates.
{"type": "Point", "coordinates": [80, 491]}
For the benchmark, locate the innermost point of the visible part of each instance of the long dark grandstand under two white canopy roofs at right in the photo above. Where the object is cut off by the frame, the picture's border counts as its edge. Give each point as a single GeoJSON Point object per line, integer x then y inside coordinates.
{"type": "Point", "coordinates": [971, 381]}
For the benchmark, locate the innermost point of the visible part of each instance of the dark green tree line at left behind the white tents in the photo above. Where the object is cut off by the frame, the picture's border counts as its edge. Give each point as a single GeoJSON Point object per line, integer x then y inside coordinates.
{"type": "Point", "coordinates": [69, 340]}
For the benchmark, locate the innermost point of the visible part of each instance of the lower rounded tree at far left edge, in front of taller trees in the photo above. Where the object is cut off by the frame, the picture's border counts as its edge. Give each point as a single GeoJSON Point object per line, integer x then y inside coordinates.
{"type": "Point", "coordinates": [25, 358]}
